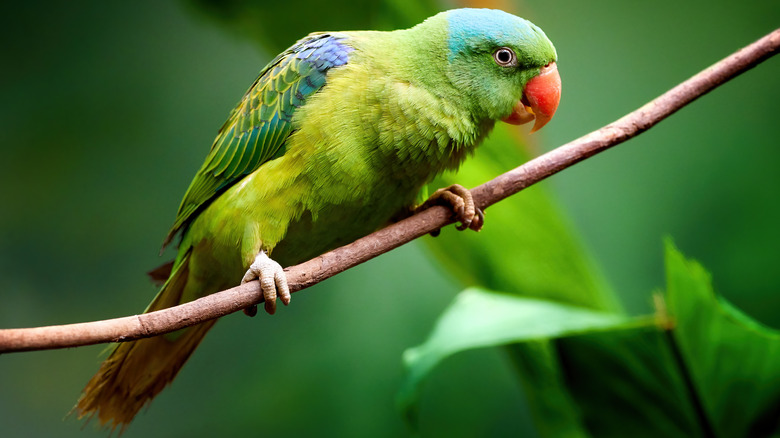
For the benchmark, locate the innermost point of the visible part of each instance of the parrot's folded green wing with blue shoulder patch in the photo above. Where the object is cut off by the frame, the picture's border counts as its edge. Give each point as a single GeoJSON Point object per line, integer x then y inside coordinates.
{"type": "Point", "coordinates": [258, 127]}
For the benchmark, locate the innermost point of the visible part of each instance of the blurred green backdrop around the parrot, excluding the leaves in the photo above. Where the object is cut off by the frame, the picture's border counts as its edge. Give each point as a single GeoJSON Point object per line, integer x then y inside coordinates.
{"type": "Point", "coordinates": [108, 108]}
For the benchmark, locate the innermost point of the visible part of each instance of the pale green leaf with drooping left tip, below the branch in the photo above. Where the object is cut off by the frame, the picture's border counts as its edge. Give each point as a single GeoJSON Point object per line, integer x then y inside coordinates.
{"type": "Point", "coordinates": [479, 318]}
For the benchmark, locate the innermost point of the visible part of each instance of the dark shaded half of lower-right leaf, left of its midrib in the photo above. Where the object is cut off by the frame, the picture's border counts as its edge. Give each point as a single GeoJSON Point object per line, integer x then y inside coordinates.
{"type": "Point", "coordinates": [625, 382]}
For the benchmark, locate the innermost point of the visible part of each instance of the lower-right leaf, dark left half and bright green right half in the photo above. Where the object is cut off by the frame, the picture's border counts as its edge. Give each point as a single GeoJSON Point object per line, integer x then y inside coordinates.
{"type": "Point", "coordinates": [714, 373]}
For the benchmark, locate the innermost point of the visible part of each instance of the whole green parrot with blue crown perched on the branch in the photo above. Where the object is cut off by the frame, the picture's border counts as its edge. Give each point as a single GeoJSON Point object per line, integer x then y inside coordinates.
{"type": "Point", "coordinates": [336, 137]}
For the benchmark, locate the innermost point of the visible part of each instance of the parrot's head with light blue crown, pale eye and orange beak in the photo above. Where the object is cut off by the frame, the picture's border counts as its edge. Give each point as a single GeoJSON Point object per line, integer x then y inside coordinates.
{"type": "Point", "coordinates": [505, 64]}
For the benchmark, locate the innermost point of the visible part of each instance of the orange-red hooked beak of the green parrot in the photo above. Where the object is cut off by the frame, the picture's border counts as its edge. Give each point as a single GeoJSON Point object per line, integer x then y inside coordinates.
{"type": "Point", "coordinates": [540, 99]}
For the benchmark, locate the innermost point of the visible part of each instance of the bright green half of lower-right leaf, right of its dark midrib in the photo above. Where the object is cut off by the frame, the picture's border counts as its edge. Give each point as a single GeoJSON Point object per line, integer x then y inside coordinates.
{"type": "Point", "coordinates": [734, 361]}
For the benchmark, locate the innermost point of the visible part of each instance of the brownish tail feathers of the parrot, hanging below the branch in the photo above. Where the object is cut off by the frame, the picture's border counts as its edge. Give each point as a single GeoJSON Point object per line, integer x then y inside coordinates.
{"type": "Point", "coordinates": [136, 371]}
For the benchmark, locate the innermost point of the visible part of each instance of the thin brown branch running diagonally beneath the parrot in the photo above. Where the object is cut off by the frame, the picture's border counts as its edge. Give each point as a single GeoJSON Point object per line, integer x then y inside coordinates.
{"type": "Point", "coordinates": [313, 271]}
